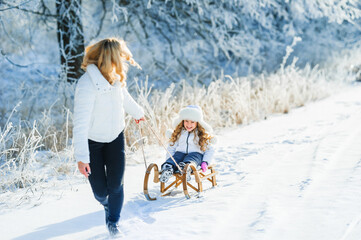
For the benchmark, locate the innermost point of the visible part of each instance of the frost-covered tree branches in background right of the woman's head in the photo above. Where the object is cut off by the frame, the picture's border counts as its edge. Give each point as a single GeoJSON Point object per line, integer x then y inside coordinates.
{"type": "Point", "coordinates": [203, 38]}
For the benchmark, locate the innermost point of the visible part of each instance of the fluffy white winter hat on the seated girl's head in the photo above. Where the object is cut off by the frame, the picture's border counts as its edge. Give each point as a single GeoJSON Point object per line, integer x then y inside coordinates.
{"type": "Point", "coordinates": [193, 113]}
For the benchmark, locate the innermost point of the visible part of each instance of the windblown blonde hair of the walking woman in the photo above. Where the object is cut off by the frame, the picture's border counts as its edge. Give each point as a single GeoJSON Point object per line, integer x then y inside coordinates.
{"type": "Point", "coordinates": [109, 55]}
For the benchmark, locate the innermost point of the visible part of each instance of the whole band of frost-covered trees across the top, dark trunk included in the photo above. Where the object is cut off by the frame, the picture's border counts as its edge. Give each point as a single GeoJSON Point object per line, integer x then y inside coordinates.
{"type": "Point", "coordinates": [199, 39]}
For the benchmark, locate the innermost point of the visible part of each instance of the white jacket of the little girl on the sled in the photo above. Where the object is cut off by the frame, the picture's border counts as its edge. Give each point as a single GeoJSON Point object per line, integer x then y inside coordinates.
{"type": "Point", "coordinates": [187, 143]}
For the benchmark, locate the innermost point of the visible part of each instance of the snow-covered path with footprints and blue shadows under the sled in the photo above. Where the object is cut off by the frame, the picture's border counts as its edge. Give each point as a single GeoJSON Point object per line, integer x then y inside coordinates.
{"type": "Point", "coordinates": [293, 176]}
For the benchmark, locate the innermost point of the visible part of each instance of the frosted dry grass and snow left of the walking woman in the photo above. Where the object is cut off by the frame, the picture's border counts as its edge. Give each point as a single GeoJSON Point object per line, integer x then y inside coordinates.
{"type": "Point", "coordinates": [31, 155]}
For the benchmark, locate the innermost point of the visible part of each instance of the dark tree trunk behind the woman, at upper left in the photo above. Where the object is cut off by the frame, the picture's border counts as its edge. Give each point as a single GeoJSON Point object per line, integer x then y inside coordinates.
{"type": "Point", "coordinates": [70, 38]}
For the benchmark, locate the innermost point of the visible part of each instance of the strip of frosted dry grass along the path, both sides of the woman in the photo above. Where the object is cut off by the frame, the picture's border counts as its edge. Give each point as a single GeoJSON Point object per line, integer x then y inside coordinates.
{"type": "Point", "coordinates": [31, 155]}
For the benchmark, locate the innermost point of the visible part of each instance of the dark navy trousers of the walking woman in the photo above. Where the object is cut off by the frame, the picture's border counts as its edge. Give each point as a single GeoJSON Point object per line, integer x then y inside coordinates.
{"type": "Point", "coordinates": [107, 164]}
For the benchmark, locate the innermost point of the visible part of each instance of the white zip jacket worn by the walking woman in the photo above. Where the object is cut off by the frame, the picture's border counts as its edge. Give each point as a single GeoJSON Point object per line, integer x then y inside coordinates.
{"type": "Point", "coordinates": [99, 111]}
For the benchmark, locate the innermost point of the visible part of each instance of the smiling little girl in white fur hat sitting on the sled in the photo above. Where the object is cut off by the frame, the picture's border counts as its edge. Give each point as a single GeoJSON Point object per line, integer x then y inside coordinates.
{"type": "Point", "coordinates": [190, 142]}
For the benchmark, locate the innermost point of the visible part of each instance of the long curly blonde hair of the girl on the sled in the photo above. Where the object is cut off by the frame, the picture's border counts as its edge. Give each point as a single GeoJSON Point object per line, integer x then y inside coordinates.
{"type": "Point", "coordinates": [203, 136]}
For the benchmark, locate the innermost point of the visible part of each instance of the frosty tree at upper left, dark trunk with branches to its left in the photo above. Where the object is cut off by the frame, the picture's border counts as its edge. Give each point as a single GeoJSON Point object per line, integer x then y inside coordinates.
{"type": "Point", "coordinates": [67, 16]}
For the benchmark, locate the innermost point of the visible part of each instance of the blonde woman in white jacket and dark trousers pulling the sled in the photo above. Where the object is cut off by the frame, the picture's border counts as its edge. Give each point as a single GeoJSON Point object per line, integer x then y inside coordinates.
{"type": "Point", "coordinates": [100, 100]}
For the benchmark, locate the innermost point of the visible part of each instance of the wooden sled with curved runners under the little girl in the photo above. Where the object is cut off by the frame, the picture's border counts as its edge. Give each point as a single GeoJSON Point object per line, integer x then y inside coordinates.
{"type": "Point", "coordinates": [198, 175]}
